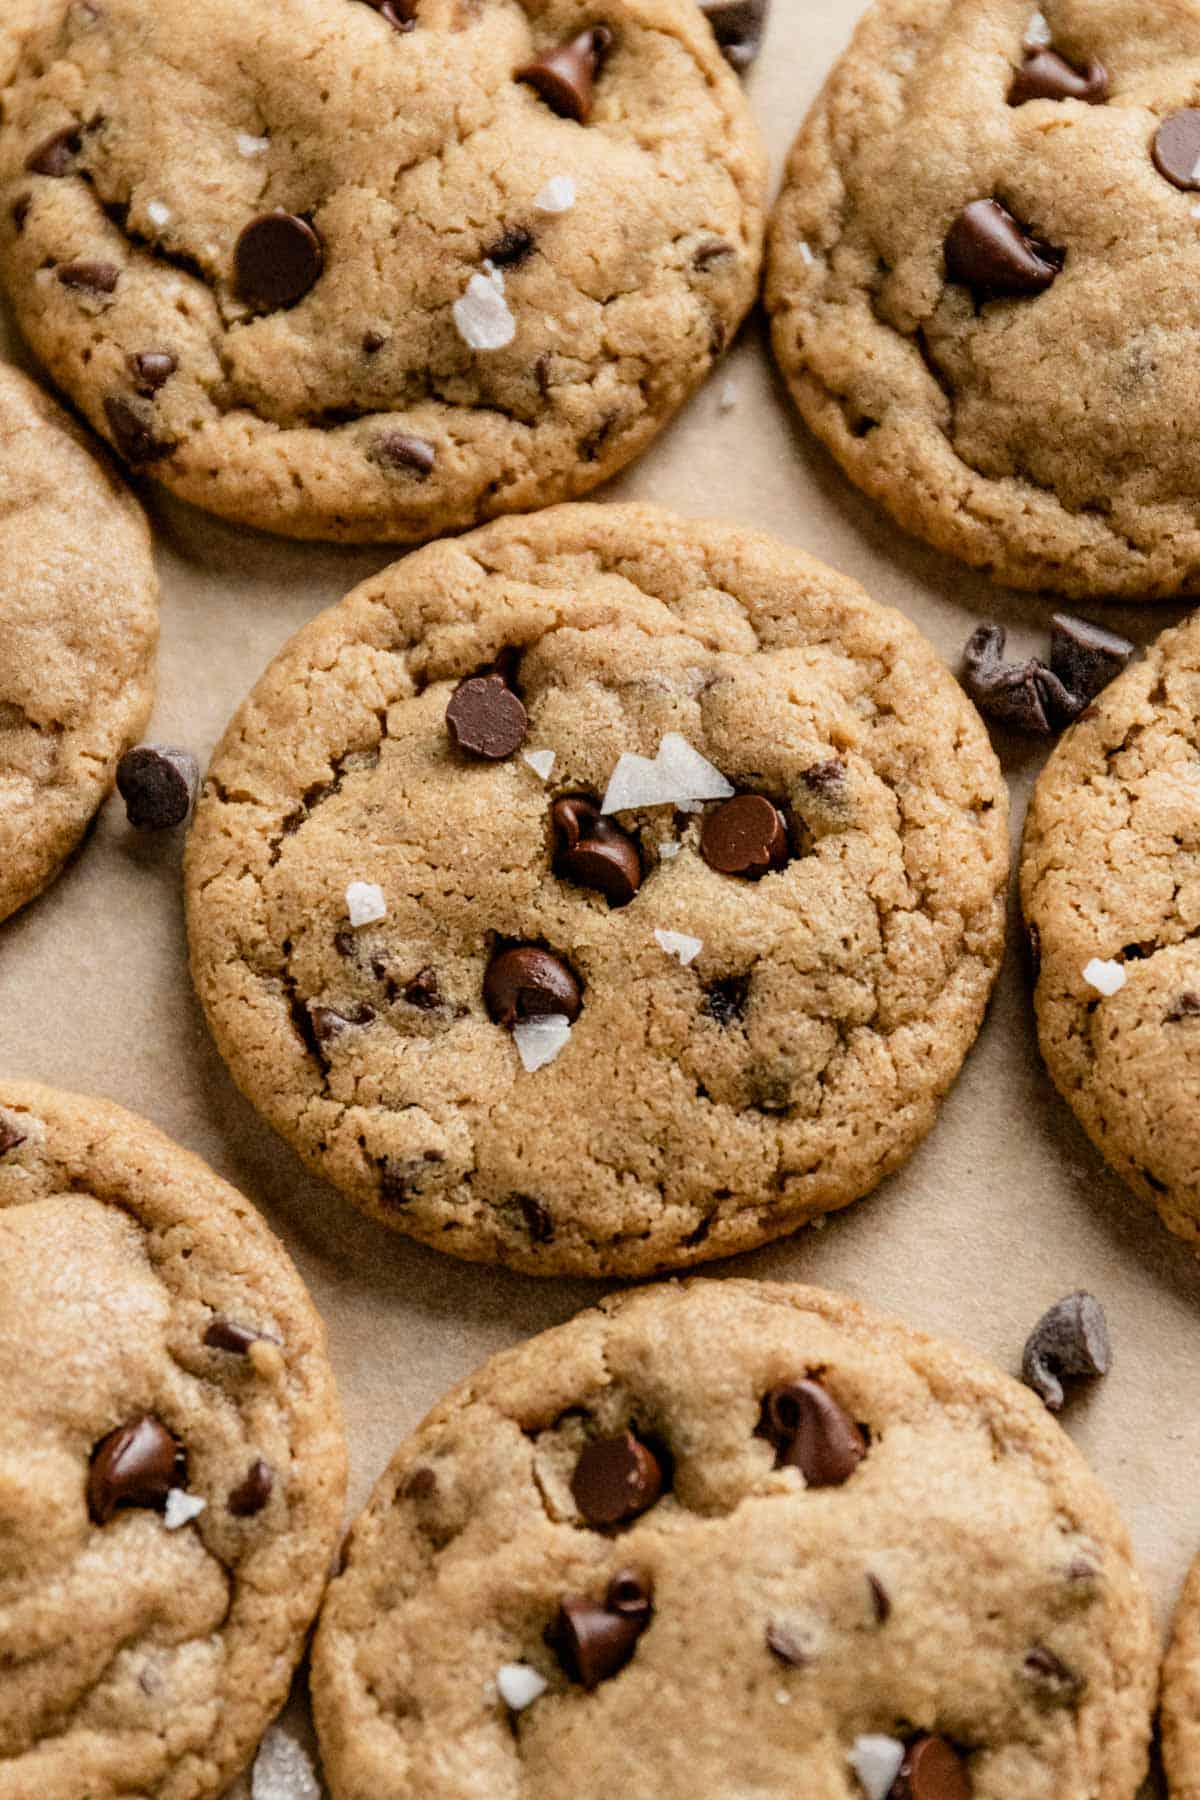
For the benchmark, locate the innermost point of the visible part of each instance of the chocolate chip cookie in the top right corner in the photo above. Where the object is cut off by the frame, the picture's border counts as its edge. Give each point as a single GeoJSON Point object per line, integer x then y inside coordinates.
{"type": "Point", "coordinates": [985, 283]}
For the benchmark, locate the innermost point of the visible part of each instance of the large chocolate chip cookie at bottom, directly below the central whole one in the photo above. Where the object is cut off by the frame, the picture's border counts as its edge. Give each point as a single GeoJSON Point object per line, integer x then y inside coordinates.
{"type": "Point", "coordinates": [737, 1540]}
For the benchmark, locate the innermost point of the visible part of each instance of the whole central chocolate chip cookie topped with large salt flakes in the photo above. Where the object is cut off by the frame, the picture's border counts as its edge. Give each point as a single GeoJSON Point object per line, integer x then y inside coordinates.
{"type": "Point", "coordinates": [532, 1030]}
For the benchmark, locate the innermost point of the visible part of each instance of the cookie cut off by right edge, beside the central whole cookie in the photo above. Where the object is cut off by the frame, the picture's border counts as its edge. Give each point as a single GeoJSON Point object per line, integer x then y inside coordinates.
{"type": "Point", "coordinates": [1111, 886]}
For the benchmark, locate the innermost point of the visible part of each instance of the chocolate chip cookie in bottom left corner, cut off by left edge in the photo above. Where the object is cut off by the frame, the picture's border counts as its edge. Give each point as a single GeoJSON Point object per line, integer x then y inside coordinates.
{"type": "Point", "coordinates": [172, 1461]}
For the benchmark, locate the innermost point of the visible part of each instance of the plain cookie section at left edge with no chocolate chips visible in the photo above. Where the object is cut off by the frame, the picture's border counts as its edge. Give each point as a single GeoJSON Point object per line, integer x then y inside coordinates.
{"type": "Point", "coordinates": [78, 636]}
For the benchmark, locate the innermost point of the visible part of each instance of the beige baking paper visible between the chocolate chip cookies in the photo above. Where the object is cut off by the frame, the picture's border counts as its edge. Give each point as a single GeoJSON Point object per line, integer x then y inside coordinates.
{"type": "Point", "coordinates": [1001, 1212]}
